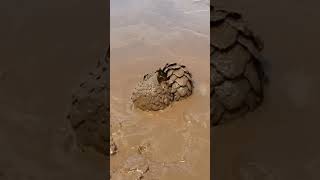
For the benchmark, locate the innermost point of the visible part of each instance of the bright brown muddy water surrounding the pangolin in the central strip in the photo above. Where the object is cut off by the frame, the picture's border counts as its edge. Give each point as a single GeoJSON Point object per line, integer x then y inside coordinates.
{"type": "Point", "coordinates": [145, 36]}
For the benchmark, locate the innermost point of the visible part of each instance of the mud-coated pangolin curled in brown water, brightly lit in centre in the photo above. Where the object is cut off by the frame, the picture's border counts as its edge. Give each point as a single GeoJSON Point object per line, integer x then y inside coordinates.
{"type": "Point", "coordinates": [159, 89]}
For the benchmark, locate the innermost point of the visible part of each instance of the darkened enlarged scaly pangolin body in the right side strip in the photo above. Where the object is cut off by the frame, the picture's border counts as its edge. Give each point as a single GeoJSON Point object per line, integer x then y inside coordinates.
{"type": "Point", "coordinates": [237, 77]}
